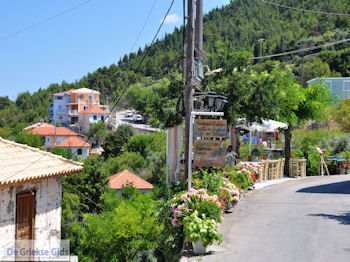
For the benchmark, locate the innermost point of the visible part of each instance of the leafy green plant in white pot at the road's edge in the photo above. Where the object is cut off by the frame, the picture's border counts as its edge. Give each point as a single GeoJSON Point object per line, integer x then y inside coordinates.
{"type": "Point", "coordinates": [201, 231]}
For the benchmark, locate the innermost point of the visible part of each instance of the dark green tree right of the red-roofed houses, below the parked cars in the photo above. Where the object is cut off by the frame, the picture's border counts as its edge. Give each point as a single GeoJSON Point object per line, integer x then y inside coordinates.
{"type": "Point", "coordinates": [114, 142]}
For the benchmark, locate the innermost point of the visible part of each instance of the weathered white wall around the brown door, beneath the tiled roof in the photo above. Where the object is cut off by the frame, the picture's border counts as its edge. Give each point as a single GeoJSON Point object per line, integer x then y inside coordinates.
{"type": "Point", "coordinates": [48, 198]}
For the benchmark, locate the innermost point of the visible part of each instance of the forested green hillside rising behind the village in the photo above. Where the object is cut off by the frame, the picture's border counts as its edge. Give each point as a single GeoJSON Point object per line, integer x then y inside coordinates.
{"type": "Point", "coordinates": [241, 25]}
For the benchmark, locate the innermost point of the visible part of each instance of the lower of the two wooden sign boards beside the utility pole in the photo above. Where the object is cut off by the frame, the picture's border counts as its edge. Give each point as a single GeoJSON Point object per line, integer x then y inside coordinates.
{"type": "Point", "coordinates": [209, 153]}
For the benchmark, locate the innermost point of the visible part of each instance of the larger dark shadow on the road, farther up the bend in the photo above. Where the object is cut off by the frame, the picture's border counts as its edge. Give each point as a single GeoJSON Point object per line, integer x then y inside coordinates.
{"type": "Point", "coordinates": [334, 188]}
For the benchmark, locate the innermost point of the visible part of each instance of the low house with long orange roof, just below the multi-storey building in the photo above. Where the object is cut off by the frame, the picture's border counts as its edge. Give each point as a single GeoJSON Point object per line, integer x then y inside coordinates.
{"type": "Point", "coordinates": [54, 135]}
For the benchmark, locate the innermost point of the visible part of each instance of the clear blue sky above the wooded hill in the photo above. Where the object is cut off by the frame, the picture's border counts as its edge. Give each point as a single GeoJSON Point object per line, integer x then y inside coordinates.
{"type": "Point", "coordinates": [94, 35]}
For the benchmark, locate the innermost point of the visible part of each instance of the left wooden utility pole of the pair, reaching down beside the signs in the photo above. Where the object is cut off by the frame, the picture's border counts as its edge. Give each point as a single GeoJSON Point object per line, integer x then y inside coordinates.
{"type": "Point", "coordinates": [189, 78]}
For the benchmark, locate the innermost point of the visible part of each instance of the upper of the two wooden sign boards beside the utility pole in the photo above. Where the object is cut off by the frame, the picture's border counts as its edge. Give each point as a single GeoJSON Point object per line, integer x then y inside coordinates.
{"type": "Point", "coordinates": [210, 128]}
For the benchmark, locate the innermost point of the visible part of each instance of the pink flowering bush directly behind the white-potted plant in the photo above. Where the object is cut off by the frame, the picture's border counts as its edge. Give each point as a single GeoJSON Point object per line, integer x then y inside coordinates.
{"type": "Point", "coordinates": [195, 200]}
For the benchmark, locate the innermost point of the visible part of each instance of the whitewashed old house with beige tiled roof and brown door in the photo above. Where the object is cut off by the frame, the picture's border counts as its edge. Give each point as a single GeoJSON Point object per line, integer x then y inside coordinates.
{"type": "Point", "coordinates": [30, 196]}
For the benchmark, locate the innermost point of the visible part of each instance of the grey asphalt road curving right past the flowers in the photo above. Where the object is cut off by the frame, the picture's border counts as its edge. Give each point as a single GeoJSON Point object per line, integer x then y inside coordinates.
{"type": "Point", "coordinates": [302, 220]}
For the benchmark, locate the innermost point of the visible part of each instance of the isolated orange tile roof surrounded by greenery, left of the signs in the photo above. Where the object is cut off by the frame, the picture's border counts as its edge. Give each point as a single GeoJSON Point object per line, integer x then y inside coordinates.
{"type": "Point", "coordinates": [119, 180]}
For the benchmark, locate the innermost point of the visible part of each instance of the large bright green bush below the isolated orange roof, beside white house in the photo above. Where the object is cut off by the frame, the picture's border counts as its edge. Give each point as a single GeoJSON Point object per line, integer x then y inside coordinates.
{"type": "Point", "coordinates": [128, 232]}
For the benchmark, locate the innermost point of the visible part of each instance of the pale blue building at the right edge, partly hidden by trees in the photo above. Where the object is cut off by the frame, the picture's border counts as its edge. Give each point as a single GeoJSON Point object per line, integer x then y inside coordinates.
{"type": "Point", "coordinates": [339, 86]}
